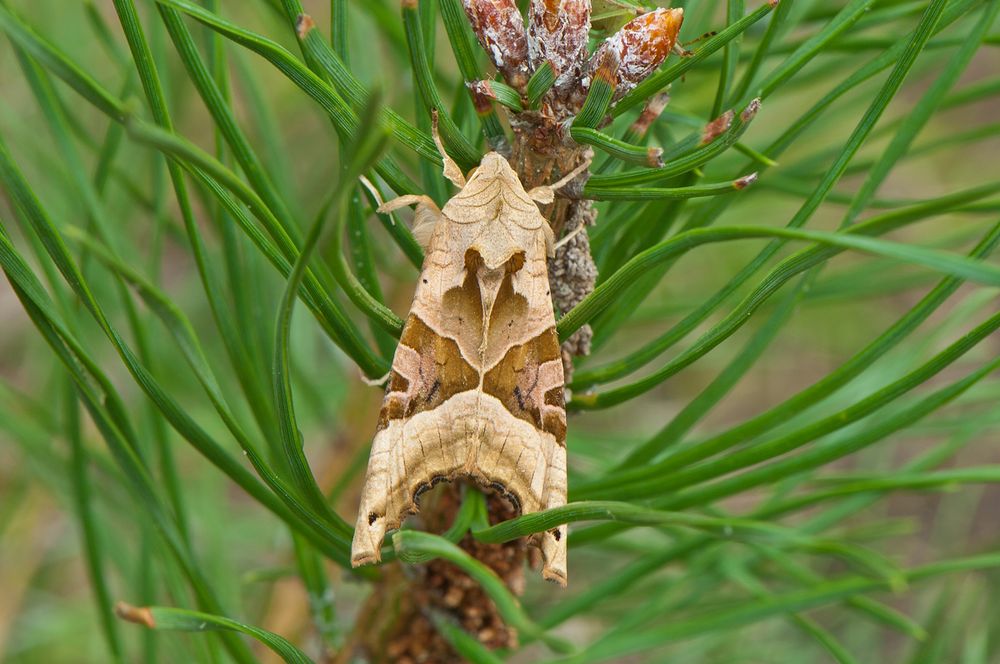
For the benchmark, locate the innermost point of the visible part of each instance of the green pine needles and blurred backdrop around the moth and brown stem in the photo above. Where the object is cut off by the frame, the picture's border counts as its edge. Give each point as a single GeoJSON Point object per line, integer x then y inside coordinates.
{"type": "Point", "coordinates": [791, 423]}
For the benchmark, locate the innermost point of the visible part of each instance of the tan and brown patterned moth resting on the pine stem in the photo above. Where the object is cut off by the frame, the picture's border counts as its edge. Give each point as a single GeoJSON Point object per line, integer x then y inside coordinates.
{"type": "Point", "coordinates": [476, 387]}
